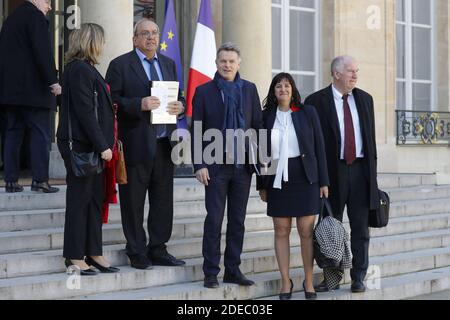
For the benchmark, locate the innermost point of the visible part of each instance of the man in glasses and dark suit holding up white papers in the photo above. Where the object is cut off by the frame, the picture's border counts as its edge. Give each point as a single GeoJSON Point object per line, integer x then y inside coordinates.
{"type": "Point", "coordinates": [147, 147]}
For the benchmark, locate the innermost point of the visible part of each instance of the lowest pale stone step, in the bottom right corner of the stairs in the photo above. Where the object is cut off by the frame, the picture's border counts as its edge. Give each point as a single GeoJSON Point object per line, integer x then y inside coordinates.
{"type": "Point", "coordinates": [390, 288]}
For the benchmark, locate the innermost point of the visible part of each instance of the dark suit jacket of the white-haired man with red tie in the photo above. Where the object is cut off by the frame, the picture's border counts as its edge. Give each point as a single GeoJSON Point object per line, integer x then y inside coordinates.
{"type": "Point", "coordinates": [324, 102]}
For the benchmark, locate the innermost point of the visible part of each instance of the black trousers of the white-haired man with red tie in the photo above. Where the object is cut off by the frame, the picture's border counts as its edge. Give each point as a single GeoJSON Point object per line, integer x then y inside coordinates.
{"type": "Point", "coordinates": [353, 192]}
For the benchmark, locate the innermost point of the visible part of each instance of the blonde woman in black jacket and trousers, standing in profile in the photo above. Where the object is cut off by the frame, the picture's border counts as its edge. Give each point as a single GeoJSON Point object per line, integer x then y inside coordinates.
{"type": "Point", "coordinates": [86, 99]}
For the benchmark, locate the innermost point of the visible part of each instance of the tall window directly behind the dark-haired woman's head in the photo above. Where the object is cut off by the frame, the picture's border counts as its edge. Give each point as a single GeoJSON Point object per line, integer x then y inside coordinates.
{"type": "Point", "coordinates": [295, 42]}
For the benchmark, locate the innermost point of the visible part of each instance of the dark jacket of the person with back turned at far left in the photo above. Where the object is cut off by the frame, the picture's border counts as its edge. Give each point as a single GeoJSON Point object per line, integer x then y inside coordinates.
{"type": "Point", "coordinates": [27, 65]}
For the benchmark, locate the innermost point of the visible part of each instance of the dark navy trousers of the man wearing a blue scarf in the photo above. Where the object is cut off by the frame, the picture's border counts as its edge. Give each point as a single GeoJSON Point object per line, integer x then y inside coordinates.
{"type": "Point", "coordinates": [232, 186]}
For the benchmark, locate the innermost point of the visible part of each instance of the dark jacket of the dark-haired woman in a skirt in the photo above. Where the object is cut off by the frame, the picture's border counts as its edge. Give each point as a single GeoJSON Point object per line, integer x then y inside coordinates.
{"type": "Point", "coordinates": [310, 140]}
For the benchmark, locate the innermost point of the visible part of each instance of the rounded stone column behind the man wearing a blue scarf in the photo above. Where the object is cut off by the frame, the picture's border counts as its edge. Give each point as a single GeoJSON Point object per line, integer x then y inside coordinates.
{"type": "Point", "coordinates": [249, 25]}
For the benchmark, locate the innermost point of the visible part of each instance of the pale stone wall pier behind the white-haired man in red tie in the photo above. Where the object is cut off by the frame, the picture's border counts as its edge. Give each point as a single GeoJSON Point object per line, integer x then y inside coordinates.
{"type": "Point", "coordinates": [366, 30]}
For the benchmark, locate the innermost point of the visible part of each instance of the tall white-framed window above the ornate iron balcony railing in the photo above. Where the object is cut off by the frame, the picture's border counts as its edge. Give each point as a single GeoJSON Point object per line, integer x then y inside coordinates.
{"type": "Point", "coordinates": [415, 55]}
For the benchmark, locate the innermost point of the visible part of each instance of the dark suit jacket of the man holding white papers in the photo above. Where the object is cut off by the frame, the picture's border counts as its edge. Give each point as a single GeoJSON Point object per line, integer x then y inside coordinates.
{"type": "Point", "coordinates": [129, 84]}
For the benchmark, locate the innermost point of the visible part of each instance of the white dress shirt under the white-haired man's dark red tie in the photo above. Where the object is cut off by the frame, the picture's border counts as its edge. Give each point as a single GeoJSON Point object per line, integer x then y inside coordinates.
{"type": "Point", "coordinates": [339, 102]}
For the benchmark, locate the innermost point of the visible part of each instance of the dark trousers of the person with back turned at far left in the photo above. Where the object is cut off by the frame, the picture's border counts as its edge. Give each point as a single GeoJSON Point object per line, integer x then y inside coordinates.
{"type": "Point", "coordinates": [38, 121]}
